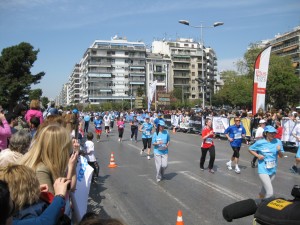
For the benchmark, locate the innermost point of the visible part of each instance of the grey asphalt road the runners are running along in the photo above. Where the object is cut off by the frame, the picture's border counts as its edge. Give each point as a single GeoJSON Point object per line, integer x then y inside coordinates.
{"type": "Point", "coordinates": [130, 191]}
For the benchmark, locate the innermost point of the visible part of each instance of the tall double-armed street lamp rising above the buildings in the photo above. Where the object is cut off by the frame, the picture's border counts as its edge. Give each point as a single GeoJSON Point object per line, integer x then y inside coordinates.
{"type": "Point", "coordinates": [201, 26]}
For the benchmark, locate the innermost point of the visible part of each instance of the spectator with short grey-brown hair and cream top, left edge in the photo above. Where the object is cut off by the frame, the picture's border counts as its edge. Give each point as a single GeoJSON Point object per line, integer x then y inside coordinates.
{"type": "Point", "coordinates": [18, 146]}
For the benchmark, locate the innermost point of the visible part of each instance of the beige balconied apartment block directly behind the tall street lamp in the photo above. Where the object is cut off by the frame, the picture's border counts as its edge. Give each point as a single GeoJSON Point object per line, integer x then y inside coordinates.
{"type": "Point", "coordinates": [190, 61]}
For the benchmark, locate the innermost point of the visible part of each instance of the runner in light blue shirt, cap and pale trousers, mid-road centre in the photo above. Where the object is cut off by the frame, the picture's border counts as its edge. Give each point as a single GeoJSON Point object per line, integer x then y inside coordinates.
{"type": "Point", "coordinates": [161, 141]}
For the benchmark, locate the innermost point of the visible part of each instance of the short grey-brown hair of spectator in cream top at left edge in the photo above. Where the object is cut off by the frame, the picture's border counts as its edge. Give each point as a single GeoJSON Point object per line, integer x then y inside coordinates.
{"type": "Point", "coordinates": [20, 141]}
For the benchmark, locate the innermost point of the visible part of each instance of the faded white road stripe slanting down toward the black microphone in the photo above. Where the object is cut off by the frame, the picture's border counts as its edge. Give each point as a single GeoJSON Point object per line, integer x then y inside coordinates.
{"type": "Point", "coordinates": [217, 188]}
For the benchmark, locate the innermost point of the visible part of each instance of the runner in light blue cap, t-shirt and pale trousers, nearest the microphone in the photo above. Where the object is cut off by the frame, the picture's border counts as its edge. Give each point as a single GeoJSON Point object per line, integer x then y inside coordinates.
{"type": "Point", "coordinates": [267, 151]}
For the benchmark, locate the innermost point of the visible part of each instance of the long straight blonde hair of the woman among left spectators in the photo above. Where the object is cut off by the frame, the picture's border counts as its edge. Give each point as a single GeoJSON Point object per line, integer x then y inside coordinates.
{"type": "Point", "coordinates": [52, 148]}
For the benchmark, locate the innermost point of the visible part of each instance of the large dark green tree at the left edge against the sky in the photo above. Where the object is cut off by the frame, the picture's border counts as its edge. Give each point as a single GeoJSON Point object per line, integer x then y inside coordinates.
{"type": "Point", "coordinates": [15, 75]}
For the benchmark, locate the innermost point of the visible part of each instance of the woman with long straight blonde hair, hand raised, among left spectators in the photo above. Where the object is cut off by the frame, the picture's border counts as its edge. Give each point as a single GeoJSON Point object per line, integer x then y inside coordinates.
{"type": "Point", "coordinates": [49, 156]}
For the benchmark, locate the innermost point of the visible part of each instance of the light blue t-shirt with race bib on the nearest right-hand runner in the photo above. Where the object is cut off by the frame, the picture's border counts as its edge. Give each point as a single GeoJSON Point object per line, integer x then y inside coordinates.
{"type": "Point", "coordinates": [269, 150]}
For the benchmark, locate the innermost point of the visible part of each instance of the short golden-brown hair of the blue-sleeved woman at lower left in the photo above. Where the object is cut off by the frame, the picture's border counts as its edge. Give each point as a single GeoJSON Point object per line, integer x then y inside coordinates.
{"type": "Point", "coordinates": [23, 184]}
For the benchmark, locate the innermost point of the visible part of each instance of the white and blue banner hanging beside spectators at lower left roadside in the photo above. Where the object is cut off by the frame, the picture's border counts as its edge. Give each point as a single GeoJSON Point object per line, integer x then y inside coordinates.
{"type": "Point", "coordinates": [80, 197]}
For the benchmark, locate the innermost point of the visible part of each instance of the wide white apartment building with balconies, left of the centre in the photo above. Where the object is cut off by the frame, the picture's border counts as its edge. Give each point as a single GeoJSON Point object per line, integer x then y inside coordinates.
{"type": "Point", "coordinates": [112, 71]}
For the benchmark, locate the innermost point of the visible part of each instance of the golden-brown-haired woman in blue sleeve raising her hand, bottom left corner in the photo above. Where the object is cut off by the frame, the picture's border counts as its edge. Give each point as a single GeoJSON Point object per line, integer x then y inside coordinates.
{"type": "Point", "coordinates": [25, 192]}
